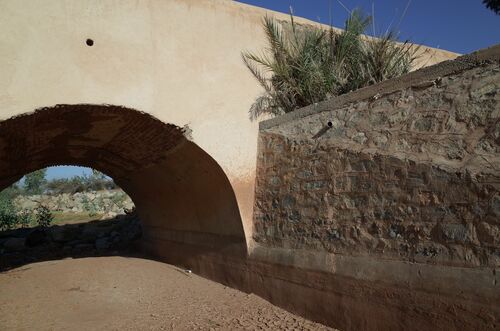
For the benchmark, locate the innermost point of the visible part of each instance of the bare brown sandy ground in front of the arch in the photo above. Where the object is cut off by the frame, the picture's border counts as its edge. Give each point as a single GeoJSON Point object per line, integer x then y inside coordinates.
{"type": "Point", "coordinates": [119, 293]}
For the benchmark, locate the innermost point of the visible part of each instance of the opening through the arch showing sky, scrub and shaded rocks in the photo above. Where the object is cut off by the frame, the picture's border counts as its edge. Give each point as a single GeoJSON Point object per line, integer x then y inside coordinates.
{"type": "Point", "coordinates": [62, 212]}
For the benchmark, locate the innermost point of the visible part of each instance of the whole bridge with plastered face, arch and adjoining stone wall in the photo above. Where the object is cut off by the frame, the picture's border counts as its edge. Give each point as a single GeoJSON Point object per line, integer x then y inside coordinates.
{"type": "Point", "coordinates": [378, 210]}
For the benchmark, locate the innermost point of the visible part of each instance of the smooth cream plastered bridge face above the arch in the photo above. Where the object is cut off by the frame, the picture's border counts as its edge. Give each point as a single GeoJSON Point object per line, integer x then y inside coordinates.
{"type": "Point", "coordinates": [178, 60]}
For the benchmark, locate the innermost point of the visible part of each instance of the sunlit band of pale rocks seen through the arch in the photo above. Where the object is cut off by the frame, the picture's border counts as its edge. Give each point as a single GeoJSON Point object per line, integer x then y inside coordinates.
{"type": "Point", "coordinates": [111, 202]}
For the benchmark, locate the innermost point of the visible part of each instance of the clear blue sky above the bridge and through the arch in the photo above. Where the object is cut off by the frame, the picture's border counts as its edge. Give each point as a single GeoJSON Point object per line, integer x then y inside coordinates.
{"type": "Point", "coordinates": [460, 26]}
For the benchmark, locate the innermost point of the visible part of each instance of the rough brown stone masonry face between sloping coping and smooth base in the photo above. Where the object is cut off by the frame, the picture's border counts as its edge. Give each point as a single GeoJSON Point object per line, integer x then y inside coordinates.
{"type": "Point", "coordinates": [411, 175]}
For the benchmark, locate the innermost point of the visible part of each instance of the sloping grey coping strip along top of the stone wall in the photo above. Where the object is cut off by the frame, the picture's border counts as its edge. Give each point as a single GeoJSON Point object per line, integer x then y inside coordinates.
{"type": "Point", "coordinates": [420, 78]}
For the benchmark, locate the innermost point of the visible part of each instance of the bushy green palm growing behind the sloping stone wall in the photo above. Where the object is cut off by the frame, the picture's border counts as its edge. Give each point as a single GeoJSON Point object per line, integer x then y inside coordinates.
{"type": "Point", "coordinates": [303, 65]}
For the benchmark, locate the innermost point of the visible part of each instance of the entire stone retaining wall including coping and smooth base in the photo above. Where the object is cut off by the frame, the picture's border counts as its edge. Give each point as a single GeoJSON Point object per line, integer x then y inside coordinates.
{"type": "Point", "coordinates": [388, 201]}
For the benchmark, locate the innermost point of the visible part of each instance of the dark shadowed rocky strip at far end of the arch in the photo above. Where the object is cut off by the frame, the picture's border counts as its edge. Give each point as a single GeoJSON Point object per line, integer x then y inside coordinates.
{"type": "Point", "coordinates": [116, 236]}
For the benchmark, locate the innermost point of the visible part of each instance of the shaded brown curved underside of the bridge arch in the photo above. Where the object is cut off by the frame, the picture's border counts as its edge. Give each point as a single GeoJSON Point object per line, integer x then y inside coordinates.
{"type": "Point", "coordinates": [182, 196]}
